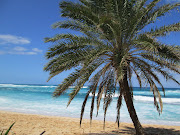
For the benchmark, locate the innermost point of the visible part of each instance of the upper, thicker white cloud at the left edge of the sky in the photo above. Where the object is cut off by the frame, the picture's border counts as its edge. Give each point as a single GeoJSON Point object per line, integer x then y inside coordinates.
{"type": "Point", "coordinates": [11, 39]}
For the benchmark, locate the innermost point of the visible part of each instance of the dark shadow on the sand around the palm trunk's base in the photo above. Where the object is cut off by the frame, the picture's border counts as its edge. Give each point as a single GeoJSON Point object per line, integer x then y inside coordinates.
{"type": "Point", "coordinates": [148, 131]}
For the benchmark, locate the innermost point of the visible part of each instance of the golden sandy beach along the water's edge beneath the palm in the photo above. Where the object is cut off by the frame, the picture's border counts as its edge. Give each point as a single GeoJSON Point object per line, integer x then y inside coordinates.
{"type": "Point", "coordinates": [30, 124]}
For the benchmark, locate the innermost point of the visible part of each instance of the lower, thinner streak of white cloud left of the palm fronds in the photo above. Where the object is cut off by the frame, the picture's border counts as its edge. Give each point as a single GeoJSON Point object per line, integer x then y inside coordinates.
{"type": "Point", "coordinates": [20, 51]}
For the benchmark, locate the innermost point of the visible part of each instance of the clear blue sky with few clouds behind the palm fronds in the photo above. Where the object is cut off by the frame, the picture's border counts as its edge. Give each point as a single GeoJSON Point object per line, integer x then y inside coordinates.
{"type": "Point", "coordinates": [24, 25]}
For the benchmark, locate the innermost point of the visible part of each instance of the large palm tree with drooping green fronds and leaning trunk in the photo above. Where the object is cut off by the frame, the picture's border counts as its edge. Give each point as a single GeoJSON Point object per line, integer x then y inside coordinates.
{"type": "Point", "coordinates": [112, 44]}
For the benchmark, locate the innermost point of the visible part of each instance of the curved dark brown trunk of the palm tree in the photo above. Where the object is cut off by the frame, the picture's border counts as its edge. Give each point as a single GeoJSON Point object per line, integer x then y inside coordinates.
{"type": "Point", "coordinates": [129, 103]}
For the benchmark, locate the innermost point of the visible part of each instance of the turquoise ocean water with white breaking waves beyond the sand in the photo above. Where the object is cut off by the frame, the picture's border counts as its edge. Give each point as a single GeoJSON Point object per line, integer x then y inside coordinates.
{"type": "Point", "coordinates": [37, 99]}
